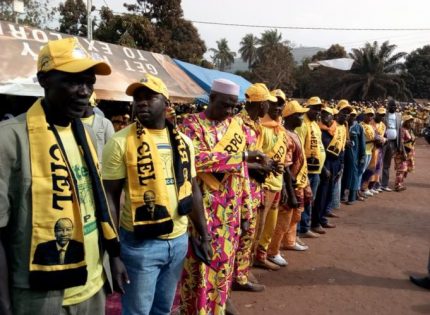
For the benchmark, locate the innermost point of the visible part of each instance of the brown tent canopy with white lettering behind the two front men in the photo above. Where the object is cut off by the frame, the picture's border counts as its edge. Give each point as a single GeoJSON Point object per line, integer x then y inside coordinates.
{"type": "Point", "coordinates": [21, 45]}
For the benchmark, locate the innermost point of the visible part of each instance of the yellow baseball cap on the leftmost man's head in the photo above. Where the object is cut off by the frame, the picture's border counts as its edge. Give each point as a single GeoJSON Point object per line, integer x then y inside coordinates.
{"type": "Point", "coordinates": [68, 55]}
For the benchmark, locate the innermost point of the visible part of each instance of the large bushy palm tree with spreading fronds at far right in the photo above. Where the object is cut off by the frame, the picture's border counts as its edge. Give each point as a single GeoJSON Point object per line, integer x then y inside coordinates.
{"type": "Point", "coordinates": [375, 74]}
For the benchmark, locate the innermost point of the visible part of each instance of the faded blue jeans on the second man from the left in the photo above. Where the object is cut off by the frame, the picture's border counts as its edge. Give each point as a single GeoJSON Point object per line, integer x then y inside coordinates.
{"type": "Point", "coordinates": [154, 267]}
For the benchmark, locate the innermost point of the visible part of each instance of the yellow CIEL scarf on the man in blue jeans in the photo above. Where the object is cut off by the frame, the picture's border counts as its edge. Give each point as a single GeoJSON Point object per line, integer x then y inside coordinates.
{"type": "Point", "coordinates": [146, 182]}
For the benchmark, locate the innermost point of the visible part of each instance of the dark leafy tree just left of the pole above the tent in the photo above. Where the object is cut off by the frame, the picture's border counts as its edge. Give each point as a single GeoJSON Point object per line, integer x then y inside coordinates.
{"type": "Point", "coordinates": [73, 17]}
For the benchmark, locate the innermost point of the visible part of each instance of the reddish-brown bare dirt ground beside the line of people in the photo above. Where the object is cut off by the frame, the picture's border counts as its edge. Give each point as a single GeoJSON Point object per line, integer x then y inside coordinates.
{"type": "Point", "coordinates": [363, 265]}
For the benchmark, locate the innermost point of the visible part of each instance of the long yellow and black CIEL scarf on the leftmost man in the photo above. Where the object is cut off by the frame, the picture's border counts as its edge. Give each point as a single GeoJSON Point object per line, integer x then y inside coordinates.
{"type": "Point", "coordinates": [55, 200]}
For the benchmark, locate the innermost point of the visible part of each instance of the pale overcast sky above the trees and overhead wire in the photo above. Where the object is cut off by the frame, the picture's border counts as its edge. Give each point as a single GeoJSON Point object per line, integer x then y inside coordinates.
{"type": "Point", "coordinates": [309, 13]}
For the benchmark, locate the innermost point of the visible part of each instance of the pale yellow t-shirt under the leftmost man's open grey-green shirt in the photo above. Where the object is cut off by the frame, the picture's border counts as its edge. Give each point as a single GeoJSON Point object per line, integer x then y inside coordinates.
{"type": "Point", "coordinates": [93, 259]}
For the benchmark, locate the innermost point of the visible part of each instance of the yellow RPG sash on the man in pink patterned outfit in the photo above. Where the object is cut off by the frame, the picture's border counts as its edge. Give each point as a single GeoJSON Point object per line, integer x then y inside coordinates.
{"type": "Point", "coordinates": [233, 141]}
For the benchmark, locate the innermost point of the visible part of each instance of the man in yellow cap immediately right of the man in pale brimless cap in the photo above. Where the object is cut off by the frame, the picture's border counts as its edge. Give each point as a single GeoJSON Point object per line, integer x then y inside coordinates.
{"type": "Point", "coordinates": [257, 98]}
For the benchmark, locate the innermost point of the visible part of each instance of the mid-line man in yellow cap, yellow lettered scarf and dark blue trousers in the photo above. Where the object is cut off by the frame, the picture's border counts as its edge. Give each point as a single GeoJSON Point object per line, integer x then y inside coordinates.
{"type": "Point", "coordinates": [310, 135]}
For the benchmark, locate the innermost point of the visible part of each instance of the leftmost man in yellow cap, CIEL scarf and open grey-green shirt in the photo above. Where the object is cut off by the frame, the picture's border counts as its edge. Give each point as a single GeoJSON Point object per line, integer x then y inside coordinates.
{"type": "Point", "coordinates": [50, 189]}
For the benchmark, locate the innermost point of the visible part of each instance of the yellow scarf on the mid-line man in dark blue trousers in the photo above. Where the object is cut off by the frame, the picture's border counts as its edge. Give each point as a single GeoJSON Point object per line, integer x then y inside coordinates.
{"type": "Point", "coordinates": [312, 143]}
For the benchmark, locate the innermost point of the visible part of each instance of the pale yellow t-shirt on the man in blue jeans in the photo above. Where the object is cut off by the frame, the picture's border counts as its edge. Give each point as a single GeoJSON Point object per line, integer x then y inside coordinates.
{"type": "Point", "coordinates": [114, 168]}
